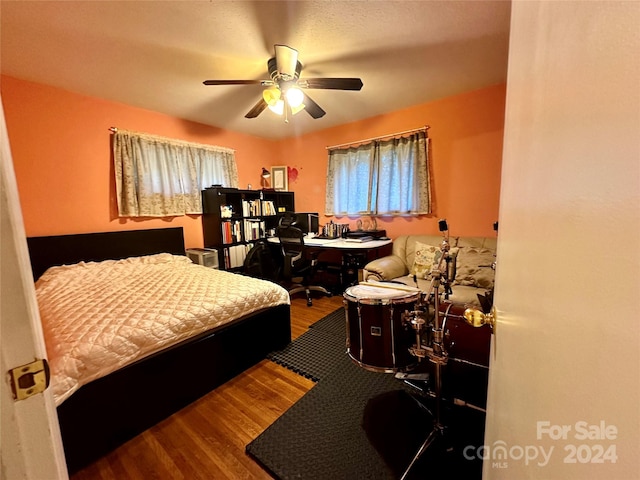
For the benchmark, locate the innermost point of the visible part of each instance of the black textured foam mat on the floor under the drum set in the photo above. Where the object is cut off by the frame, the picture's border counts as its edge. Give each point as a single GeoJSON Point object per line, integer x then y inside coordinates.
{"type": "Point", "coordinates": [357, 424]}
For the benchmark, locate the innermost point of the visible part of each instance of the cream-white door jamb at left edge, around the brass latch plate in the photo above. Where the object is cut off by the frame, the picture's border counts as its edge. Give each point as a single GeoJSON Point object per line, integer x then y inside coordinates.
{"type": "Point", "coordinates": [30, 445]}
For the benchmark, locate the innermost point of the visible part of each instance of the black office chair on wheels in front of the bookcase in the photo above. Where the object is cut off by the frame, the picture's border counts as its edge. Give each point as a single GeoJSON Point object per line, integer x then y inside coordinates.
{"type": "Point", "coordinates": [298, 268]}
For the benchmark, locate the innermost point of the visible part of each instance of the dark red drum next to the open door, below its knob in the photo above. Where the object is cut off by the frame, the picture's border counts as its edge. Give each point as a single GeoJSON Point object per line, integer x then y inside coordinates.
{"type": "Point", "coordinates": [462, 341]}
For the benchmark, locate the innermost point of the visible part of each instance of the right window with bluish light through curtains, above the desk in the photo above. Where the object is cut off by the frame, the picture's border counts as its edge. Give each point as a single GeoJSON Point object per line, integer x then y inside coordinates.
{"type": "Point", "coordinates": [383, 177]}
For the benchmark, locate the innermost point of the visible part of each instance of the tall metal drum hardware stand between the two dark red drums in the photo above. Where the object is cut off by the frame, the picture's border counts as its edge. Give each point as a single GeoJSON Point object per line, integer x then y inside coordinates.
{"type": "Point", "coordinates": [437, 353]}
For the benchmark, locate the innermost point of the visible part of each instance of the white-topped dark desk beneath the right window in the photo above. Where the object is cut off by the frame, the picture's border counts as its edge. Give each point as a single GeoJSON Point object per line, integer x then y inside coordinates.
{"type": "Point", "coordinates": [339, 260]}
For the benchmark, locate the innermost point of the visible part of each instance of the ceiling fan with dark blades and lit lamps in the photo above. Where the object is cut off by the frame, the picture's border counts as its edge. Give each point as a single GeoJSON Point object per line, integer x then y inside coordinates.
{"type": "Point", "coordinates": [284, 94]}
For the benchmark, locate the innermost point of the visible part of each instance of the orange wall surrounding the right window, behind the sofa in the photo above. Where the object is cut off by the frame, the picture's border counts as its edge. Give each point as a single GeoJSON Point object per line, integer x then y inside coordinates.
{"type": "Point", "coordinates": [466, 151]}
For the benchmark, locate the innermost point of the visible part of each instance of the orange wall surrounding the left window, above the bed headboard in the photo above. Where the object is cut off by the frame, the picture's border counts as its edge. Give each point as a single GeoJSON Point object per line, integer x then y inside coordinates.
{"type": "Point", "coordinates": [61, 150]}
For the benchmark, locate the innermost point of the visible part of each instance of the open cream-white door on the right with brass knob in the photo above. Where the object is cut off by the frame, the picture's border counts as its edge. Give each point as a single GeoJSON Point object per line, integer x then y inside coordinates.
{"type": "Point", "coordinates": [564, 388]}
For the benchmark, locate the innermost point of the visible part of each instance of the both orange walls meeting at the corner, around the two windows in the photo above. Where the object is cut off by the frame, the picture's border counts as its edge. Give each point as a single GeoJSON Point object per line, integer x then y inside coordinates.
{"type": "Point", "coordinates": [61, 150]}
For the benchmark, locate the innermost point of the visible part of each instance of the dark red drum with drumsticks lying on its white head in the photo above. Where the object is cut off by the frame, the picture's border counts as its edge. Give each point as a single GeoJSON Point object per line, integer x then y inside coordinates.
{"type": "Point", "coordinates": [377, 338]}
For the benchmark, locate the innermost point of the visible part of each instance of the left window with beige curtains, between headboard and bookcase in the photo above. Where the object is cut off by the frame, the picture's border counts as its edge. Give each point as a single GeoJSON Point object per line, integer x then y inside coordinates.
{"type": "Point", "coordinates": [160, 177]}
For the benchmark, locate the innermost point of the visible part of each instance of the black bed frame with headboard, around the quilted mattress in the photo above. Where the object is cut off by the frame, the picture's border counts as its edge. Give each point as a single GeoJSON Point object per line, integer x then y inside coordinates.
{"type": "Point", "coordinates": [107, 412]}
